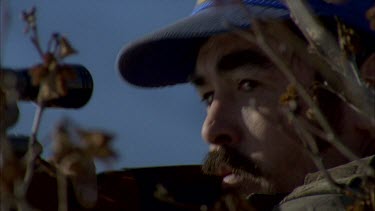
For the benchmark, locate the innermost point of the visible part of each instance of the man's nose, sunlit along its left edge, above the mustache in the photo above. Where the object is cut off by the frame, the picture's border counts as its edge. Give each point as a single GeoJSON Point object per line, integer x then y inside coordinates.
{"type": "Point", "coordinates": [221, 126]}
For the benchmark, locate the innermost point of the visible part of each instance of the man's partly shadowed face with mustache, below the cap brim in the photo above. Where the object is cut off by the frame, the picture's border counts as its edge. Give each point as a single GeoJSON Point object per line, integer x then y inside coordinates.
{"type": "Point", "coordinates": [245, 126]}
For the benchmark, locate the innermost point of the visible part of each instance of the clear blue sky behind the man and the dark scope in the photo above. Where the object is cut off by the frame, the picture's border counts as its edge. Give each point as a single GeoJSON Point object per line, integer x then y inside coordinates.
{"type": "Point", "coordinates": [152, 127]}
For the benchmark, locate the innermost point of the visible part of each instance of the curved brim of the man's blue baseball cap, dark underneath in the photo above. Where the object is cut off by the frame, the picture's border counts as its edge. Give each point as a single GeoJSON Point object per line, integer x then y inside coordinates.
{"type": "Point", "coordinates": [168, 56]}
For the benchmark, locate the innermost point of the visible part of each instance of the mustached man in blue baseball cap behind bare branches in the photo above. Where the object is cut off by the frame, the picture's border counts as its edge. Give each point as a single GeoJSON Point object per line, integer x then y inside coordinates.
{"type": "Point", "coordinates": [260, 144]}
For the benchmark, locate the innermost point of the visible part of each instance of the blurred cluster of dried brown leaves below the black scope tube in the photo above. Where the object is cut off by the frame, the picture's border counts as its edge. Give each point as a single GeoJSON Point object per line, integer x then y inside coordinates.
{"type": "Point", "coordinates": [74, 153]}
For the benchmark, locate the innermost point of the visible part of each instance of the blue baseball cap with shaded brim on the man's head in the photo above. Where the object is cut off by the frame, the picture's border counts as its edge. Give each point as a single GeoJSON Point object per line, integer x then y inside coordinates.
{"type": "Point", "coordinates": [168, 56]}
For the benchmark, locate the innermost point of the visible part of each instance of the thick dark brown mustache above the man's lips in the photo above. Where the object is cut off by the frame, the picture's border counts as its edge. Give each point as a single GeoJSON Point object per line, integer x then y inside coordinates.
{"type": "Point", "coordinates": [240, 164]}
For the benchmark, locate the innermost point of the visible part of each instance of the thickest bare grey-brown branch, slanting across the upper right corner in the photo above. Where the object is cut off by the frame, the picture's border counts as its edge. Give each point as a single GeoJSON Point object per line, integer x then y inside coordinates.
{"type": "Point", "coordinates": [328, 49]}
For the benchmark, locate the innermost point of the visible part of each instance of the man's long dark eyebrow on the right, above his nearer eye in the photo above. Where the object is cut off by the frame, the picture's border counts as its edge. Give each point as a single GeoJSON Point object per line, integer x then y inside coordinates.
{"type": "Point", "coordinates": [242, 58]}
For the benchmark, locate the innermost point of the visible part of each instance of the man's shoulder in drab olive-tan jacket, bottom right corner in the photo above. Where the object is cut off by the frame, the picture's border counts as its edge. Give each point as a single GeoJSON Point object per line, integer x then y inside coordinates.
{"type": "Point", "coordinates": [319, 194]}
